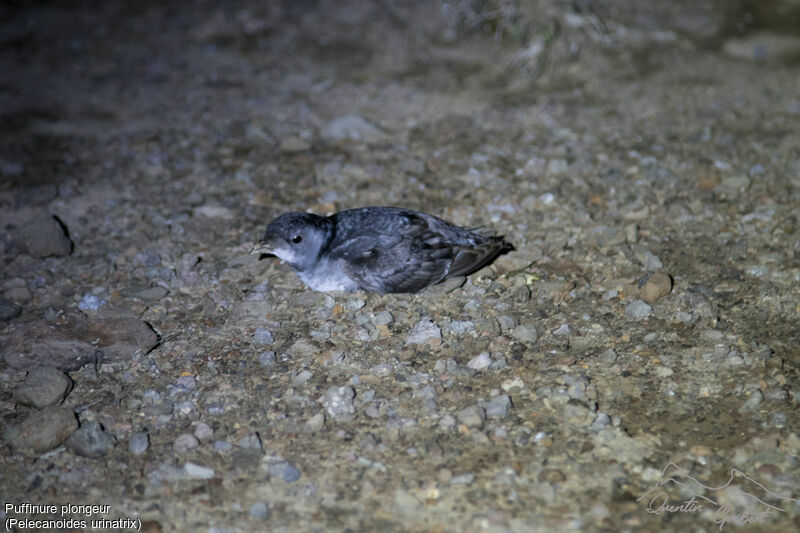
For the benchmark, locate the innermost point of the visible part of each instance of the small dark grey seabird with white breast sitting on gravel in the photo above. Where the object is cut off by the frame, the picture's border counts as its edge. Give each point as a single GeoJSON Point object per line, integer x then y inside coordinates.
{"type": "Point", "coordinates": [377, 249]}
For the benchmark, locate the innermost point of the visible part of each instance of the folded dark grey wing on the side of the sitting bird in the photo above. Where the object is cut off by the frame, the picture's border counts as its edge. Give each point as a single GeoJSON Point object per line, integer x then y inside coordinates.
{"type": "Point", "coordinates": [408, 261]}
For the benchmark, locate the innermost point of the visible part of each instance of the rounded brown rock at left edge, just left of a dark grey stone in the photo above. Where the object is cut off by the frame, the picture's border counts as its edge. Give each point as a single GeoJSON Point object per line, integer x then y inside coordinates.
{"type": "Point", "coordinates": [42, 430]}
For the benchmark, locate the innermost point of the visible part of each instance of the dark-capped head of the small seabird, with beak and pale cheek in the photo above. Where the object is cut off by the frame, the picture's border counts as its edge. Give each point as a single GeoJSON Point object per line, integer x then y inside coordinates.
{"type": "Point", "coordinates": [296, 238]}
